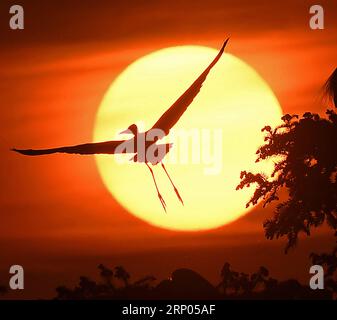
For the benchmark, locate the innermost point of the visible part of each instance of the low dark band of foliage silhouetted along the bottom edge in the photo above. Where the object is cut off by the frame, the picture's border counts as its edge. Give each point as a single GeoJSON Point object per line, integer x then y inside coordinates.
{"type": "Point", "coordinates": [187, 284]}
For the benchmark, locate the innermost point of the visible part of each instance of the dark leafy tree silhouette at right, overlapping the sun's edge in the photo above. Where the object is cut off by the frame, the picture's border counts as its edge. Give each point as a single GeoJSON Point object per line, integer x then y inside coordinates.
{"type": "Point", "coordinates": [305, 154]}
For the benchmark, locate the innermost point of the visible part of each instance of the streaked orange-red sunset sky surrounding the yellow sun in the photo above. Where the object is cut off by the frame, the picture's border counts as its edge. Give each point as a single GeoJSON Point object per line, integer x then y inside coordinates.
{"type": "Point", "coordinates": [54, 74]}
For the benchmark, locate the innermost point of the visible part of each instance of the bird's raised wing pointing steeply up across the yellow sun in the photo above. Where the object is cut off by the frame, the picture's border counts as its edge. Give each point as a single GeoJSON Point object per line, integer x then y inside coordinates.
{"type": "Point", "coordinates": [173, 114]}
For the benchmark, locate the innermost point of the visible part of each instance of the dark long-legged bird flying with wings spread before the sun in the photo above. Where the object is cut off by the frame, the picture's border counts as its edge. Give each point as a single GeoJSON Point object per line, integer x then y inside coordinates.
{"type": "Point", "coordinates": [141, 152]}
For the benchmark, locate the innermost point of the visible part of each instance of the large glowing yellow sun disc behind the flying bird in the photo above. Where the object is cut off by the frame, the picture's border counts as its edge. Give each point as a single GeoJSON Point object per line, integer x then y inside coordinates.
{"type": "Point", "coordinates": [227, 116]}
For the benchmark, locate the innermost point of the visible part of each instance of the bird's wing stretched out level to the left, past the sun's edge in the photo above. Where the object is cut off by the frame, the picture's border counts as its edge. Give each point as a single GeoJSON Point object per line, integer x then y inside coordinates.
{"type": "Point", "coordinates": [109, 147]}
